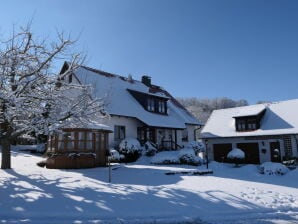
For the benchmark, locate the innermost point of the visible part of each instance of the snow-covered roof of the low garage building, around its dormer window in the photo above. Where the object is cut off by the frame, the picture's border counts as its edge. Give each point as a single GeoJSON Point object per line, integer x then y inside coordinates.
{"type": "Point", "coordinates": [279, 118]}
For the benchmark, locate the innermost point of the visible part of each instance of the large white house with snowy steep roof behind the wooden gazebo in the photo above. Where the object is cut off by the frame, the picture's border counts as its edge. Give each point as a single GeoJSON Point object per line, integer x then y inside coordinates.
{"type": "Point", "coordinates": [139, 109]}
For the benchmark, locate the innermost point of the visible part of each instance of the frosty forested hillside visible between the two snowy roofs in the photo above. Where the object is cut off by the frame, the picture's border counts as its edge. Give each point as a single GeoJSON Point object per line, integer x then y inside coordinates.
{"type": "Point", "coordinates": [202, 108]}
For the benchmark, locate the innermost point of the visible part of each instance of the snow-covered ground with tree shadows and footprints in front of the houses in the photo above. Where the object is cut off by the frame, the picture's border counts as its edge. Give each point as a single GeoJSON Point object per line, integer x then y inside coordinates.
{"type": "Point", "coordinates": [142, 193]}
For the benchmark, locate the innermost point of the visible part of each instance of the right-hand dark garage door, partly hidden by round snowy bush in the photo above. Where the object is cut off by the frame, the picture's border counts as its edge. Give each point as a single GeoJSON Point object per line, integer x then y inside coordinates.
{"type": "Point", "coordinates": [251, 151]}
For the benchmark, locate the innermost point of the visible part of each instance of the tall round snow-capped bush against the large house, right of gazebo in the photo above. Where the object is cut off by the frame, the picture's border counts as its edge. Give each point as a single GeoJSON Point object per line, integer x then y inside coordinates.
{"type": "Point", "coordinates": [131, 149]}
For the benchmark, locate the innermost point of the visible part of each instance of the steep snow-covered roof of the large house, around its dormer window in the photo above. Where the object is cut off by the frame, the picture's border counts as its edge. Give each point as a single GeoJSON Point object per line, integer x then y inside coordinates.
{"type": "Point", "coordinates": [114, 89]}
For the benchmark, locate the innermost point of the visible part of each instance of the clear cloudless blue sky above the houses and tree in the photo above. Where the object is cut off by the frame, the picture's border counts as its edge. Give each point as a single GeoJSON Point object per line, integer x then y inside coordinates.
{"type": "Point", "coordinates": [241, 49]}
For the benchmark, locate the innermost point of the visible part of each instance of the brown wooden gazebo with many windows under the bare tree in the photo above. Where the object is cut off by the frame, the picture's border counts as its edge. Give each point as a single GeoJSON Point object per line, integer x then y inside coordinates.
{"type": "Point", "coordinates": [75, 148]}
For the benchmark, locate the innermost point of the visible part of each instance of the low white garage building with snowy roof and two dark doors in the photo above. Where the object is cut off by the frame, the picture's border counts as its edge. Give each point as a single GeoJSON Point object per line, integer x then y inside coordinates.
{"type": "Point", "coordinates": [265, 132]}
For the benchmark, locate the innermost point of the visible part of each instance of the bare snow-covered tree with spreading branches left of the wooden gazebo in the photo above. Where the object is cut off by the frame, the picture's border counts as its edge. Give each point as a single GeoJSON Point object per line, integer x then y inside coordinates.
{"type": "Point", "coordinates": [34, 99]}
